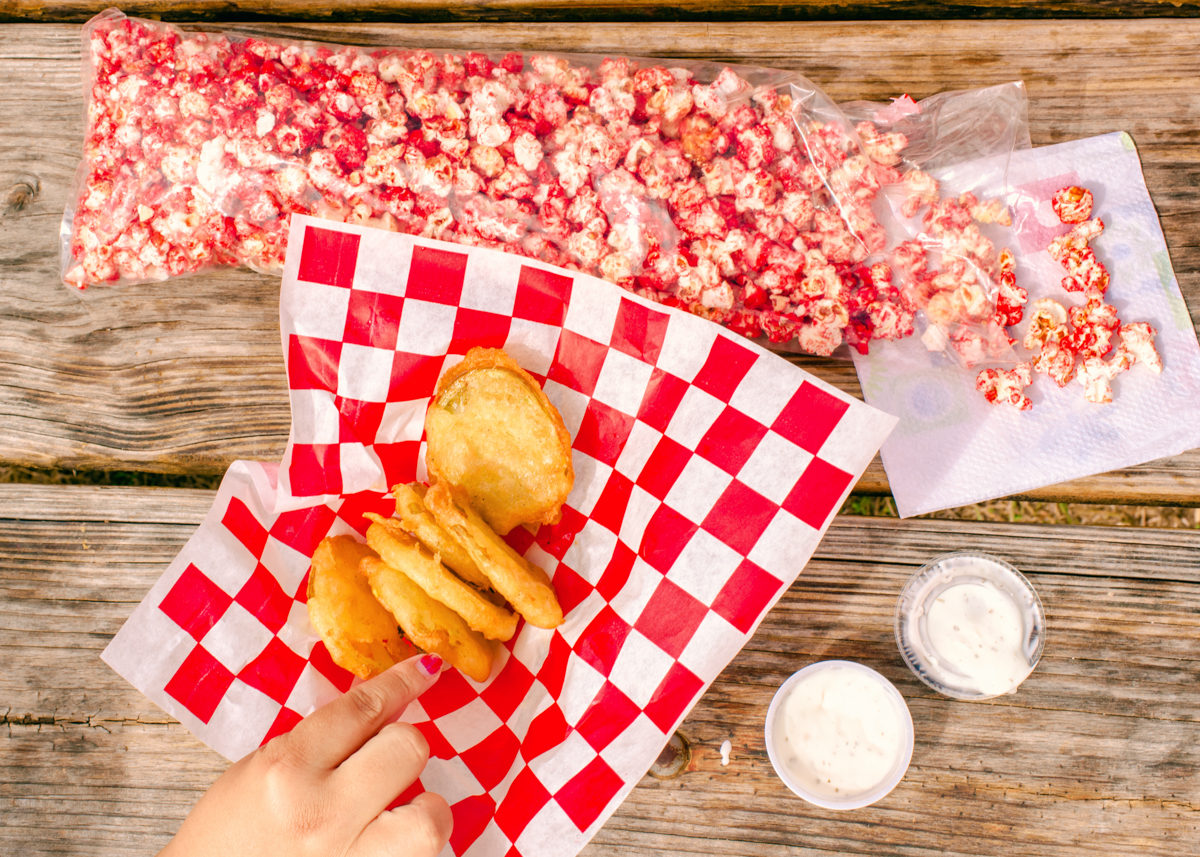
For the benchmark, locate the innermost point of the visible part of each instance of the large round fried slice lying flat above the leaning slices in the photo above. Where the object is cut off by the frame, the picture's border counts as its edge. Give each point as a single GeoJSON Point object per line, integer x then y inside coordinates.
{"type": "Point", "coordinates": [493, 433]}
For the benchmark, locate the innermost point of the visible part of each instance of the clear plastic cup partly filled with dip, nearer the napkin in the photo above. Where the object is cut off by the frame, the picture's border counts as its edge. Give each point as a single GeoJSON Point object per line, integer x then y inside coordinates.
{"type": "Point", "coordinates": [970, 626]}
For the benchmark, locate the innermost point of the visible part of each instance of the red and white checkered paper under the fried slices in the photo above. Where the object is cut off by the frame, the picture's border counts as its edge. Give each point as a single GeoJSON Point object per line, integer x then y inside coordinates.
{"type": "Point", "coordinates": [706, 469]}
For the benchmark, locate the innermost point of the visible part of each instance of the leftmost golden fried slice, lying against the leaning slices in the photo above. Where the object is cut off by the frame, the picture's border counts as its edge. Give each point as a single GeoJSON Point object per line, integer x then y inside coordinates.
{"type": "Point", "coordinates": [358, 632]}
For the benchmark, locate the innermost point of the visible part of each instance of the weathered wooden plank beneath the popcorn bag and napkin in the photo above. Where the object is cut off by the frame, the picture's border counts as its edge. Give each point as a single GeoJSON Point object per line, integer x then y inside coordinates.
{"type": "Point", "coordinates": [188, 376]}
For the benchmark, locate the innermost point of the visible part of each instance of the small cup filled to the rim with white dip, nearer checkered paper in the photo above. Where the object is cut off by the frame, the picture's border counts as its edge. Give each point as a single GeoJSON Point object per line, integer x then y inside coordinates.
{"type": "Point", "coordinates": [839, 735]}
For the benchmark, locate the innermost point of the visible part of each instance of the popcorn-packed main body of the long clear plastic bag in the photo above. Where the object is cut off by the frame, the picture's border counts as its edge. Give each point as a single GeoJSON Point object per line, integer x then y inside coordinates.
{"type": "Point", "coordinates": [743, 195]}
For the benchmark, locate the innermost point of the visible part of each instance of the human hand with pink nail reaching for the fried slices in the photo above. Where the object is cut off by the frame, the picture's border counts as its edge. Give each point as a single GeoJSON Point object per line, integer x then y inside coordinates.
{"type": "Point", "coordinates": [325, 788]}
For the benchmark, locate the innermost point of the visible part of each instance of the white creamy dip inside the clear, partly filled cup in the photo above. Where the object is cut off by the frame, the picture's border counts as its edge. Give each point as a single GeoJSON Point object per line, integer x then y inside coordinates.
{"type": "Point", "coordinates": [976, 632]}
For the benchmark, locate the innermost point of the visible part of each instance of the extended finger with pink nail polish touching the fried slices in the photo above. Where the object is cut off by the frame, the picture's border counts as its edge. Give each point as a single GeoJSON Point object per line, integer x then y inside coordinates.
{"type": "Point", "coordinates": [333, 733]}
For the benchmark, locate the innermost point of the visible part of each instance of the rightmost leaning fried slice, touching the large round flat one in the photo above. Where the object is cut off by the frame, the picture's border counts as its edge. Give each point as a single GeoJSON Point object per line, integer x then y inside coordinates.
{"type": "Point", "coordinates": [526, 586]}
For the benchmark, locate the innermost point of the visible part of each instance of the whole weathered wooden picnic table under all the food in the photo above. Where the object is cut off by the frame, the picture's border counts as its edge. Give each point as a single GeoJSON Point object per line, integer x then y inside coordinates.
{"type": "Point", "coordinates": [1100, 751]}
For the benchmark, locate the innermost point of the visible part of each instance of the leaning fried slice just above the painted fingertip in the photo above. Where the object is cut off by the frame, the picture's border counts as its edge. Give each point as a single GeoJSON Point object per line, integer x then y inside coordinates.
{"type": "Point", "coordinates": [430, 625]}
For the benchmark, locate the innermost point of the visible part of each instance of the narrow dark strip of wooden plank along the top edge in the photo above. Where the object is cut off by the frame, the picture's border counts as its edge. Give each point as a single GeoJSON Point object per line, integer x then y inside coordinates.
{"type": "Point", "coordinates": [596, 10]}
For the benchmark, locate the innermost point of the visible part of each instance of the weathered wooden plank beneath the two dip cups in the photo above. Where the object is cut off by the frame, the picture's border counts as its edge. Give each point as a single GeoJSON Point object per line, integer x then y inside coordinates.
{"type": "Point", "coordinates": [1101, 748]}
